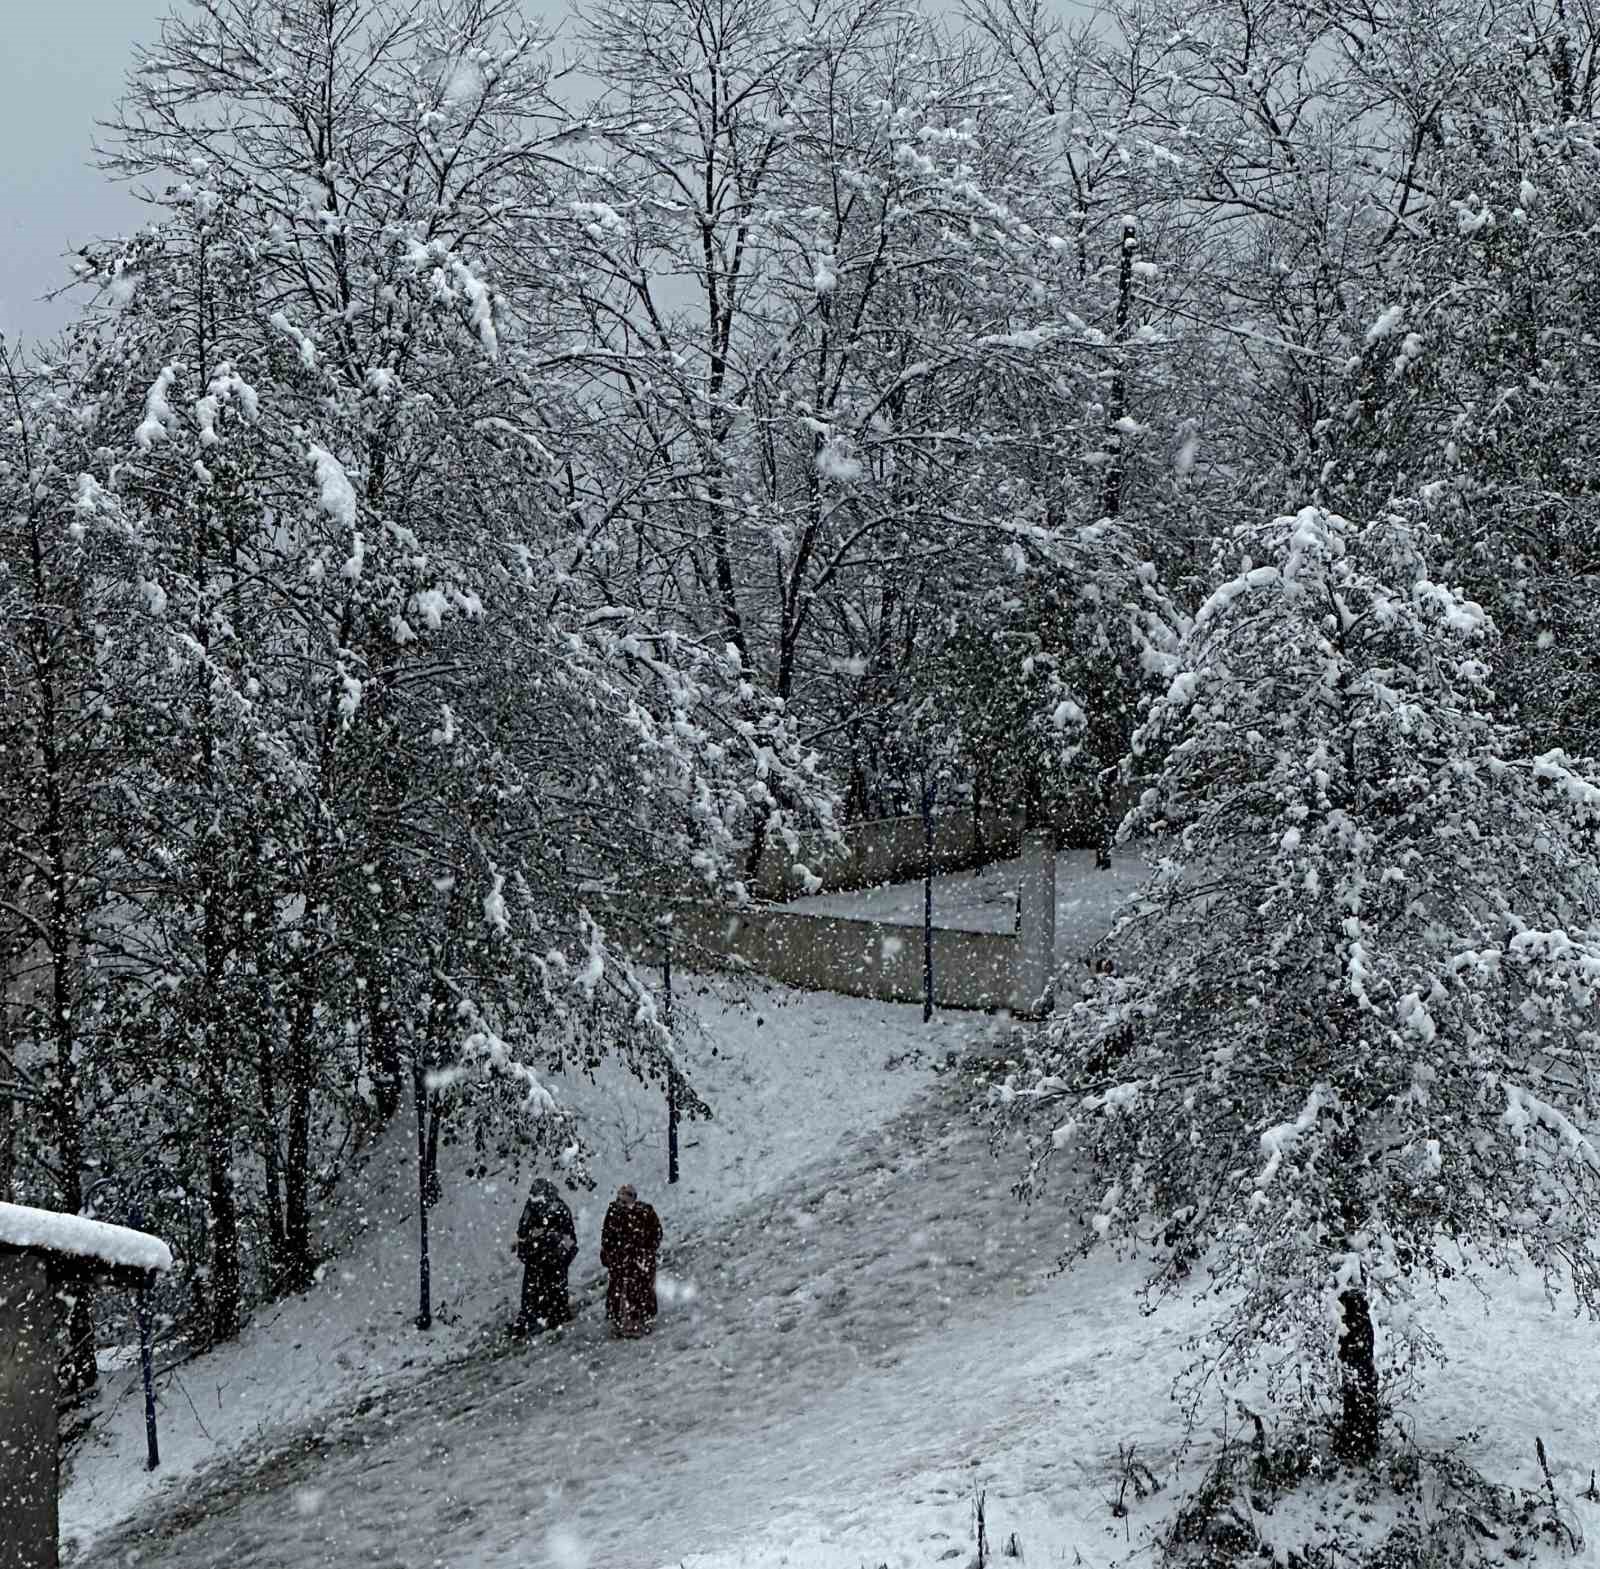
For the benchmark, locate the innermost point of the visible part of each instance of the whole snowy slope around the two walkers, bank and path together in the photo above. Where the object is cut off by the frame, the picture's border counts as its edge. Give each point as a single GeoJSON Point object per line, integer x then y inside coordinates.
{"type": "Point", "coordinates": [862, 1331]}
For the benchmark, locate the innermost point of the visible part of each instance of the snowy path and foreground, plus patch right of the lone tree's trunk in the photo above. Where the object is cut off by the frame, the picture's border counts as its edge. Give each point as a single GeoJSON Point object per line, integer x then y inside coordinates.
{"type": "Point", "coordinates": [841, 1367]}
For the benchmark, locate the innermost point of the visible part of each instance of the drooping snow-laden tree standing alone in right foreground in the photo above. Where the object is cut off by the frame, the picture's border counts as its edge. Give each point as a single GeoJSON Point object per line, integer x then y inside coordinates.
{"type": "Point", "coordinates": [1351, 1047]}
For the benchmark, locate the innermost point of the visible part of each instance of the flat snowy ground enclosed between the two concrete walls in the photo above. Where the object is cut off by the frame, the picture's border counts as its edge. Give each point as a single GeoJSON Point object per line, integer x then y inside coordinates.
{"type": "Point", "coordinates": [986, 900]}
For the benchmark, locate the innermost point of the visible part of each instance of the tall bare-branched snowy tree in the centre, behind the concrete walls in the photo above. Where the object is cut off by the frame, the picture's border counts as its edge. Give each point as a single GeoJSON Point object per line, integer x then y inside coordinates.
{"type": "Point", "coordinates": [831, 316]}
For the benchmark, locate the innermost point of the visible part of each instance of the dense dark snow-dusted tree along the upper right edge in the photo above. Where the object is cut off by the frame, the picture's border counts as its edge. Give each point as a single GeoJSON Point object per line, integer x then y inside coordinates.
{"type": "Point", "coordinates": [1478, 375]}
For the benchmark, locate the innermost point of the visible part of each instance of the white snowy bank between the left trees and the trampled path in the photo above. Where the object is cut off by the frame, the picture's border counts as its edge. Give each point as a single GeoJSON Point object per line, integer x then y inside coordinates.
{"type": "Point", "coordinates": [788, 1076]}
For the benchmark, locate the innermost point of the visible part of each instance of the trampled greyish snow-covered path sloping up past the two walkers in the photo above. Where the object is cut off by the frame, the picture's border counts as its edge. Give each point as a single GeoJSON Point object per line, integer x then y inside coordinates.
{"type": "Point", "coordinates": [822, 1347]}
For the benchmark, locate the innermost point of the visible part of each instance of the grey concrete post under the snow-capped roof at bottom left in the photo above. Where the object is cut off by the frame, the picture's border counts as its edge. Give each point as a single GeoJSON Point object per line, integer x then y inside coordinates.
{"type": "Point", "coordinates": [28, 1415]}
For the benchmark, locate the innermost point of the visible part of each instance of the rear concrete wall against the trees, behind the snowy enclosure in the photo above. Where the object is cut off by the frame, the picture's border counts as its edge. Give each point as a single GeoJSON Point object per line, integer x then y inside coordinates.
{"type": "Point", "coordinates": [889, 850]}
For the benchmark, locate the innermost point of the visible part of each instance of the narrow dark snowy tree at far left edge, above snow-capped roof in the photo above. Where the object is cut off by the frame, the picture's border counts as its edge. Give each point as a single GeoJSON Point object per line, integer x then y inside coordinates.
{"type": "Point", "coordinates": [60, 761]}
